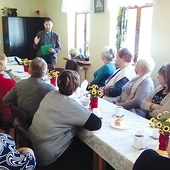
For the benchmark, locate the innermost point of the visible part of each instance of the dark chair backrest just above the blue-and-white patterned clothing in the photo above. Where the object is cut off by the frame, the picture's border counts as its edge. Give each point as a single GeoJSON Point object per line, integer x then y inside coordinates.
{"type": "Point", "coordinates": [22, 138]}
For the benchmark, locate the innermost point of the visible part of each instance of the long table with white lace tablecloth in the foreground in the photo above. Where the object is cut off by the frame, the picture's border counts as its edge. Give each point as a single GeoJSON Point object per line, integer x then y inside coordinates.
{"type": "Point", "coordinates": [115, 146]}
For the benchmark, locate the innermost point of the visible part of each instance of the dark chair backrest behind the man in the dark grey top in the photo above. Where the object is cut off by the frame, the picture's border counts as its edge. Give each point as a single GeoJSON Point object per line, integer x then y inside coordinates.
{"type": "Point", "coordinates": [21, 118]}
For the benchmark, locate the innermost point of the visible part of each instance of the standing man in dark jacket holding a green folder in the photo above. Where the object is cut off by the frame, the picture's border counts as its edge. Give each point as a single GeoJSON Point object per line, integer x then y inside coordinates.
{"type": "Point", "coordinates": [46, 37]}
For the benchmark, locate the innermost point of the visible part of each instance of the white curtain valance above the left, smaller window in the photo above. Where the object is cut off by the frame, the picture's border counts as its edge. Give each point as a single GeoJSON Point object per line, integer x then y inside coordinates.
{"type": "Point", "coordinates": [75, 6]}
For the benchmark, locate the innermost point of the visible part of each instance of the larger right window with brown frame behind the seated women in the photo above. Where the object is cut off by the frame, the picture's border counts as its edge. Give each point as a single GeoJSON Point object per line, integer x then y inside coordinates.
{"type": "Point", "coordinates": [139, 30]}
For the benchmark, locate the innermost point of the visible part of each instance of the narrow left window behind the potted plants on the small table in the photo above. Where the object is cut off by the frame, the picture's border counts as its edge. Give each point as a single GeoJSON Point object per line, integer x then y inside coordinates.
{"type": "Point", "coordinates": [82, 32]}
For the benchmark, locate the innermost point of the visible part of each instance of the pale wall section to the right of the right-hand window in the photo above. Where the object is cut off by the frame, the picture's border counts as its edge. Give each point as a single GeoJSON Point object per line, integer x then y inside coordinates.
{"type": "Point", "coordinates": [160, 40]}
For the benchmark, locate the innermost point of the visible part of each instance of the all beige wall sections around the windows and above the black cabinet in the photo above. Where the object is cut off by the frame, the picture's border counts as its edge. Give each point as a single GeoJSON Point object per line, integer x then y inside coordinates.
{"type": "Point", "coordinates": [99, 28]}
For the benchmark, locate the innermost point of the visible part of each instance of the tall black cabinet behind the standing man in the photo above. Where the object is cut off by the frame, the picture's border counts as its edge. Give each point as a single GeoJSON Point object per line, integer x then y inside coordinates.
{"type": "Point", "coordinates": [18, 35]}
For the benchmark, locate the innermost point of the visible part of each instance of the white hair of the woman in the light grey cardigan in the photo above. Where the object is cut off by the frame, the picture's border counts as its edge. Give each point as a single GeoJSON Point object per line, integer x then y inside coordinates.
{"type": "Point", "coordinates": [147, 63]}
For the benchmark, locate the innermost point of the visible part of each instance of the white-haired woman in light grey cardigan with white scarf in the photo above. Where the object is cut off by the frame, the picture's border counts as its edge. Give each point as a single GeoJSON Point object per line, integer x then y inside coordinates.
{"type": "Point", "coordinates": [138, 88]}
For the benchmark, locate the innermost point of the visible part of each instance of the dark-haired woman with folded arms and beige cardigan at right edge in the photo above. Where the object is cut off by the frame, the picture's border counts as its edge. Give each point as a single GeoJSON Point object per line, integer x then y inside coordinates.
{"type": "Point", "coordinates": [159, 101]}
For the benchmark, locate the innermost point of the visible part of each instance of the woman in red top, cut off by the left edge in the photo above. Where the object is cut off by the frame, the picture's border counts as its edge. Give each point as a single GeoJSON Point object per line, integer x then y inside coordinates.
{"type": "Point", "coordinates": [5, 85]}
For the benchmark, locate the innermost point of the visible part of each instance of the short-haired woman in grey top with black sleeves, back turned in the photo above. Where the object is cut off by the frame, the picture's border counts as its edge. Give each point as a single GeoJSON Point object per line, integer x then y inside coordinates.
{"type": "Point", "coordinates": [55, 125]}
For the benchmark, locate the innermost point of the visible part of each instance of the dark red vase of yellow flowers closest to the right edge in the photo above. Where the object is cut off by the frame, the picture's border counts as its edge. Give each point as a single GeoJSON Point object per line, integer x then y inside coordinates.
{"type": "Point", "coordinates": [163, 141]}
